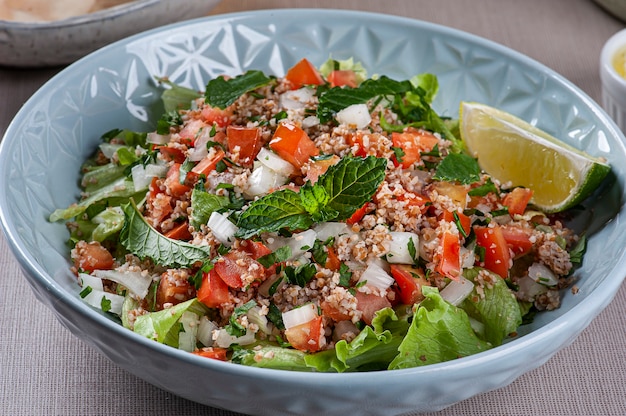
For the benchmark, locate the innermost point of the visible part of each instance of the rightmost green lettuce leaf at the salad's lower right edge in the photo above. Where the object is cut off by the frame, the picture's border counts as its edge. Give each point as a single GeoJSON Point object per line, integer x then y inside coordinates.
{"type": "Point", "coordinates": [497, 309]}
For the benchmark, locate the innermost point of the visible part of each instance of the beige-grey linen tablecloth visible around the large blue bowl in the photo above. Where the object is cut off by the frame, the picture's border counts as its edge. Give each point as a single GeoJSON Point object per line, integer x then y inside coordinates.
{"type": "Point", "coordinates": [46, 371]}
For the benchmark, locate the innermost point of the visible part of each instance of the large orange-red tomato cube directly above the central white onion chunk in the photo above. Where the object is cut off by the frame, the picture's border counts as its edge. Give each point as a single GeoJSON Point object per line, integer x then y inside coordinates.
{"type": "Point", "coordinates": [293, 144]}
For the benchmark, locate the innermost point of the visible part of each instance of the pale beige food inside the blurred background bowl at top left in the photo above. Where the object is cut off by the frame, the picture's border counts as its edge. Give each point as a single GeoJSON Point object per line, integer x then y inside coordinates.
{"type": "Point", "coordinates": [51, 10]}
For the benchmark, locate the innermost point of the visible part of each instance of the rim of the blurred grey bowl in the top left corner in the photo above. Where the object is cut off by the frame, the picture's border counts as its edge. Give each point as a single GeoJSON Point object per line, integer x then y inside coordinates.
{"type": "Point", "coordinates": [103, 14]}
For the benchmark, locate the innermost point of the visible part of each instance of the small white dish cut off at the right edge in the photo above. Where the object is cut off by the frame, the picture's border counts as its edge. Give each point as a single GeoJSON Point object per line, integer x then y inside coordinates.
{"type": "Point", "coordinates": [613, 84]}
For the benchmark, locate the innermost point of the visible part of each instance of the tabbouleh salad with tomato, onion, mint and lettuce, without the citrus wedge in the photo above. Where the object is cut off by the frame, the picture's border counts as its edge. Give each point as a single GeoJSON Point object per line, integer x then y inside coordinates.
{"type": "Point", "coordinates": [321, 221]}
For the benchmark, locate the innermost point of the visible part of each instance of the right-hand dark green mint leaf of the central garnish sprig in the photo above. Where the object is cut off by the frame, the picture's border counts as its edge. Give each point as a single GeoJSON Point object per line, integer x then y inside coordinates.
{"type": "Point", "coordinates": [351, 183]}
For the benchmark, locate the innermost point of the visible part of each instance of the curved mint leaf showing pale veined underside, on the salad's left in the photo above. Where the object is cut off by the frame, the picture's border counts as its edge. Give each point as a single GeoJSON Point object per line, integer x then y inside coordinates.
{"type": "Point", "coordinates": [144, 241]}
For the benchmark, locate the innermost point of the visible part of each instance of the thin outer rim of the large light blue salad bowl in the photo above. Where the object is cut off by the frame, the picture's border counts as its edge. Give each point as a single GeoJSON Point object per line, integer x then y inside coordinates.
{"type": "Point", "coordinates": [597, 300]}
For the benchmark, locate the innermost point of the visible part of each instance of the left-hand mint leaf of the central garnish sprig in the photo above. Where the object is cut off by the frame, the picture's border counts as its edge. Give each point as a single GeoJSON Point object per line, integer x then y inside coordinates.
{"type": "Point", "coordinates": [280, 209]}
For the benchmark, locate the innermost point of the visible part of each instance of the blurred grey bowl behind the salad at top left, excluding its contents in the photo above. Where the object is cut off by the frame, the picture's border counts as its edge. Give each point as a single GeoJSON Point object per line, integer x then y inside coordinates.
{"type": "Point", "coordinates": [59, 42]}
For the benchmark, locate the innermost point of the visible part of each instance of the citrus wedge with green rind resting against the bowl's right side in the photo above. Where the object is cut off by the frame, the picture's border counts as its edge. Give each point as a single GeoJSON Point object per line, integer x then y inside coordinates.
{"type": "Point", "coordinates": [517, 153]}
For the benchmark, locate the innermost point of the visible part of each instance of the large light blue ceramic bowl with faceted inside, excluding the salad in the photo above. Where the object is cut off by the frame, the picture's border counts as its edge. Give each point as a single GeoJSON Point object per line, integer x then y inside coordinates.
{"type": "Point", "coordinates": [60, 125]}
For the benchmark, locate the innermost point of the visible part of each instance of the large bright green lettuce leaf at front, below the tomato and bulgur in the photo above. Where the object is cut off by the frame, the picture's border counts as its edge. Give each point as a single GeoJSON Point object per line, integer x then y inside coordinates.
{"type": "Point", "coordinates": [439, 332]}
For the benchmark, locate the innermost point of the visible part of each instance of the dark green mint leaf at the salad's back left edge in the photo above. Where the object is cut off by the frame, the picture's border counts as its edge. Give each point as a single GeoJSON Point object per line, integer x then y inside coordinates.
{"type": "Point", "coordinates": [221, 92]}
